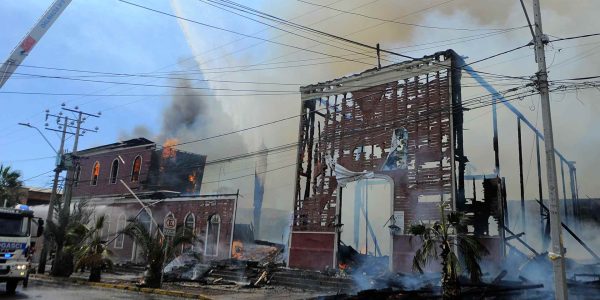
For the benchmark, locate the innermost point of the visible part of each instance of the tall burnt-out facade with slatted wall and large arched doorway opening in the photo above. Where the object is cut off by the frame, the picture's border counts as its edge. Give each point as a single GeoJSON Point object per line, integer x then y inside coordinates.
{"type": "Point", "coordinates": [378, 151]}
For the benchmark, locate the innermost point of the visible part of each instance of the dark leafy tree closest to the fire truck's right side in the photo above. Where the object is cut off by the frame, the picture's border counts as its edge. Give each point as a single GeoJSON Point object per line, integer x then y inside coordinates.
{"type": "Point", "coordinates": [66, 235]}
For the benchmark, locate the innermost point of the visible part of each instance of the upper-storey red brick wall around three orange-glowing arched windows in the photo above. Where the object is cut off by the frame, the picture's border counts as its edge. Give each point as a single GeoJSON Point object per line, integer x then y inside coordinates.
{"type": "Point", "coordinates": [103, 186]}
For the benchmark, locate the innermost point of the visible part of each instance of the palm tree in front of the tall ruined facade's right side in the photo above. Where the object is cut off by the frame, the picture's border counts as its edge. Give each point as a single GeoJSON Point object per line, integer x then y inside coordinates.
{"type": "Point", "coordinates": [447, 234]}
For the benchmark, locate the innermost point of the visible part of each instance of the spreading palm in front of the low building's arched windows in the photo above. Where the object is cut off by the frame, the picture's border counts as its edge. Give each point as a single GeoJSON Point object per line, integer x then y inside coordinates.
{"type": "Point", "coordinates": [154, 248]}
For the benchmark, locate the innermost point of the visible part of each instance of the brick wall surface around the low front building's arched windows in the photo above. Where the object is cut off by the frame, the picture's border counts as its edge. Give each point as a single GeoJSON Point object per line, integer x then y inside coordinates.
{"type": "Point", "coordinates": [202, 209]}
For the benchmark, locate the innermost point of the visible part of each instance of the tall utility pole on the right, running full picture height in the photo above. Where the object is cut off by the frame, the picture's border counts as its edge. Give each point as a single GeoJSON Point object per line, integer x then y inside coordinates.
{"type": "Point", "coordinates": [557, 255]}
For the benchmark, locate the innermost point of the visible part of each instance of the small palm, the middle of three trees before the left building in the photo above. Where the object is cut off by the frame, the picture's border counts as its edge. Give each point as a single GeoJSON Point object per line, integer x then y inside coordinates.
{"type": "Point", "coordinates": [92, 252]}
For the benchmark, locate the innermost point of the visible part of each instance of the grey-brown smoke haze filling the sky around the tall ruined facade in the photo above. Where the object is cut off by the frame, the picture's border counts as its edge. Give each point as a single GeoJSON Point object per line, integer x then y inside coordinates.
{"type": "Point", "coordinates": [195, 116]}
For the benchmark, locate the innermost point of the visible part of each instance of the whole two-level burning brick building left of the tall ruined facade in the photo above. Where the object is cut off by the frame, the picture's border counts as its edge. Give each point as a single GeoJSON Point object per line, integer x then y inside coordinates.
{"type": "Point", "coordinates": [165, 179]}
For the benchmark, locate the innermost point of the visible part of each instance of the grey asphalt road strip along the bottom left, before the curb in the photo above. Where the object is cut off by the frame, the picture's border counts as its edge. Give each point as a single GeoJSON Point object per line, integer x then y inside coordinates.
{"type": "Point", "coordinates": [40, 290]}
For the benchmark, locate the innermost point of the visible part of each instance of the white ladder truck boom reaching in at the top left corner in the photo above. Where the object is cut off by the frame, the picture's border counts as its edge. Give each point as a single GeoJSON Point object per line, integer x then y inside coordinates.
{"type": "Point", "coordinates": [31, 39]}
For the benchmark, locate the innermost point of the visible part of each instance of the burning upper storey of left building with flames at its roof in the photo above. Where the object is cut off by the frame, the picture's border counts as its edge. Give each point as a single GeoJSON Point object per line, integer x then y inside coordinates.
{"type": "Point", "coordinates": [141, 165]}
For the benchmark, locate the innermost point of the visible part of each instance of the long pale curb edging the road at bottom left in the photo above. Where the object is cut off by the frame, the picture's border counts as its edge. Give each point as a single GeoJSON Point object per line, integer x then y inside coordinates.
{"type": "Point", "coordinates": [124, 287]}
